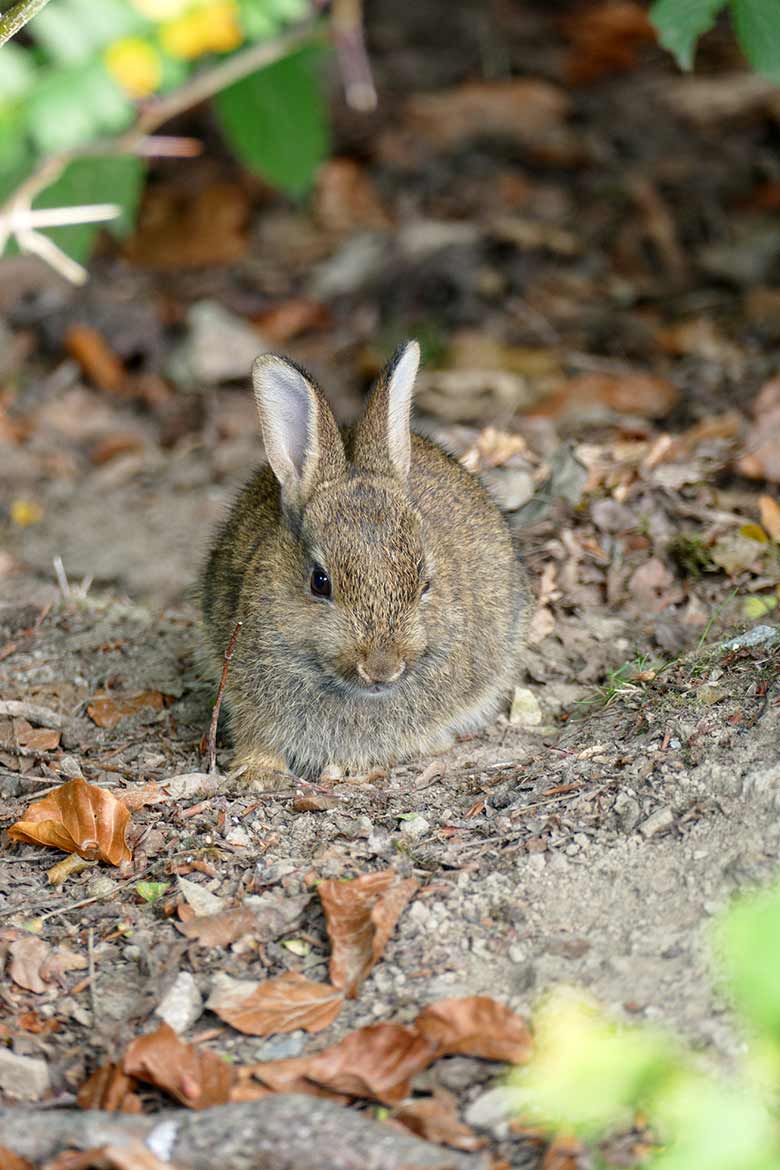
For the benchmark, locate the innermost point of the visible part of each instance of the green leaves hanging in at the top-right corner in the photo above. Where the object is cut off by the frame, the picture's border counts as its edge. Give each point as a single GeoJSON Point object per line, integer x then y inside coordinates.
{"type": "Point", "coordinates": [757, 24]}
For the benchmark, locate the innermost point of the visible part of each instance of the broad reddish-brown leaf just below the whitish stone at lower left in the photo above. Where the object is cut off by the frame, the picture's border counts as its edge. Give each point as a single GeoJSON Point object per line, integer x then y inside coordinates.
{"type": "Point", "coordinates": [195, 1077]}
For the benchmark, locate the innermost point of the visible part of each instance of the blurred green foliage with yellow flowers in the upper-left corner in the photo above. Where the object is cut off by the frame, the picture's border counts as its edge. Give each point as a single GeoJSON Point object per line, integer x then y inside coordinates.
{"type": "Point", "coordinates": [87, 66]}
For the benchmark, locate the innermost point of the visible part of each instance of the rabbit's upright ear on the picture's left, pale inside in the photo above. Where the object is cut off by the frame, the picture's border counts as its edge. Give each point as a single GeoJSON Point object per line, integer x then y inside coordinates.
{"type": "Point", "coordinates": [301, 436]}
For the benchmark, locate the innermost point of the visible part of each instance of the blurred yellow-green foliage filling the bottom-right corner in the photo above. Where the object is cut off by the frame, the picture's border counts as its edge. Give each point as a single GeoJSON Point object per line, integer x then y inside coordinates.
{"type": "Point", "coordinates": [591, 1078]}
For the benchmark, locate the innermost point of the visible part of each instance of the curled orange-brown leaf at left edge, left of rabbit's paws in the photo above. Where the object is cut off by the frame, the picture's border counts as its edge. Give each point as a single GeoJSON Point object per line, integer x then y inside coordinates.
{"type": "Point", "coordinates": [78, 818]}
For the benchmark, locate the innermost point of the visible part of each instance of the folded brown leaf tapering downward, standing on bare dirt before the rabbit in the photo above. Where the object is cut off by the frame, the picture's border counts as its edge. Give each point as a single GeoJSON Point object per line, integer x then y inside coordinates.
{"type": "Point", "coordinates": [361, 917]}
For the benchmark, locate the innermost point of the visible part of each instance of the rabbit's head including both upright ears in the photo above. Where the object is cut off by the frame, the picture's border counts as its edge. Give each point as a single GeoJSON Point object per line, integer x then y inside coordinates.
{"type": "Point", "coordinates": [351, 589]}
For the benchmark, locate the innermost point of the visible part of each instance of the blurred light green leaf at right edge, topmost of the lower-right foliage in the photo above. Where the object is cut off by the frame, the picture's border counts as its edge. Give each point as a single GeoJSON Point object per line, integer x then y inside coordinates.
{"type": "Point", "coordinates": [749, 946]}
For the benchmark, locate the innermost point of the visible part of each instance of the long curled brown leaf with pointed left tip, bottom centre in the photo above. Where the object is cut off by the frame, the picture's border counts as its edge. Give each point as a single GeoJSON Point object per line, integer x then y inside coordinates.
{"type": "Point", "coordinates": [377, 1063]}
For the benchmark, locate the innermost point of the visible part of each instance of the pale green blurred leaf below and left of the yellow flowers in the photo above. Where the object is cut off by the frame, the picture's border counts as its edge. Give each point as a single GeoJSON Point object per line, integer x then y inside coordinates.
{"type": "Point", "coordinates": [72, 106]}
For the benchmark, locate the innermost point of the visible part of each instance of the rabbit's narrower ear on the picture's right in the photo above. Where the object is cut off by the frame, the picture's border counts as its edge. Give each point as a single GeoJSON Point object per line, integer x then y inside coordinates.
{"type": "Point", "coordinates": [383, 442]}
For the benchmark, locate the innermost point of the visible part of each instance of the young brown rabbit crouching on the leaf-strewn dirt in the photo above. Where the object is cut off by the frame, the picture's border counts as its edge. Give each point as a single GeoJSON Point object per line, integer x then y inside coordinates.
{"type": "Point", "coordinates": [382, 598]}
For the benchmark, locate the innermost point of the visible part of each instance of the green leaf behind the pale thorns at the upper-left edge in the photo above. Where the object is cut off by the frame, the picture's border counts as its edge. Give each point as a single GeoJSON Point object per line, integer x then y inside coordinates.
{"type": "Point", "coordinates": [115, 180]}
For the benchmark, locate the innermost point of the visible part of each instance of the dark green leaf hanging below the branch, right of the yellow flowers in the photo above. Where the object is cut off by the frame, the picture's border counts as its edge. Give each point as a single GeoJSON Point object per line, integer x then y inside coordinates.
{"type": "Point", "coordinates": [275, 121]}
